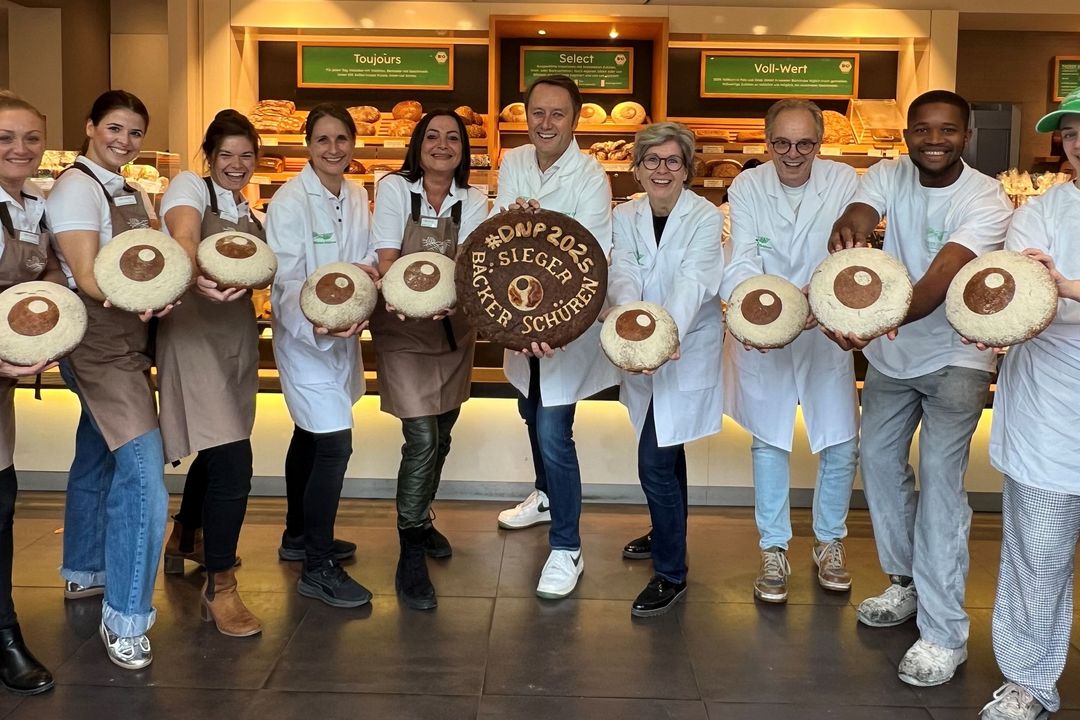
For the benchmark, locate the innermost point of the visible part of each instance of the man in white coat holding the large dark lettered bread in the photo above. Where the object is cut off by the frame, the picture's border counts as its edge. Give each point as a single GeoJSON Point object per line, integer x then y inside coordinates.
{"type": "Point", "coordinates": [552, 173]}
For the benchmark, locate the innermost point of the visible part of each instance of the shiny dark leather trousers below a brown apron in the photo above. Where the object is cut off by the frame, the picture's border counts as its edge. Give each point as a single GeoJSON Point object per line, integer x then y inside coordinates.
{"type": "Point", "coordinates": [427, 445]}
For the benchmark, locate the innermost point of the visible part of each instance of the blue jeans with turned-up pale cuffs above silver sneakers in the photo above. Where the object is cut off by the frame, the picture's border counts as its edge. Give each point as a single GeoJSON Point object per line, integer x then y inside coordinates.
{"type": "Point", "coordinates": [115, 521]}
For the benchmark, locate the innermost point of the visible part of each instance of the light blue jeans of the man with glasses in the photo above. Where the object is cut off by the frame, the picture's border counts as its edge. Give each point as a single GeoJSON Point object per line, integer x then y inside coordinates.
{"type": "Point", "coordinates": [836, 472]}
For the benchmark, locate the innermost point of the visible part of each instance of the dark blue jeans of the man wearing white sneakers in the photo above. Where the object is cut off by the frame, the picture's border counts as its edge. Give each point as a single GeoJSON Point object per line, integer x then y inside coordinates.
{"type": "Point", "coordinates": [556, 460]}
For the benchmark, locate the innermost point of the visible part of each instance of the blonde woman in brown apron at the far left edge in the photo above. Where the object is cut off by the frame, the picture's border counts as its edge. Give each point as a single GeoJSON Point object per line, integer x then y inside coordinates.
{"type": "Point", "coordinates": [25, 256]}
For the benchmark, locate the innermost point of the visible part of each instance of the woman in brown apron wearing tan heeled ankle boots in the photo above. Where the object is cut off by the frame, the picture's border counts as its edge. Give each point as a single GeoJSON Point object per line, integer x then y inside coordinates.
{"type": "Point", "coordinates": [208, 358]}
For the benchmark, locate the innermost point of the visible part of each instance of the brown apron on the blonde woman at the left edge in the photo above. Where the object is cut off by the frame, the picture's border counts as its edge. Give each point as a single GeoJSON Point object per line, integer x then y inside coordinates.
{"type": "Point", "coordinates": [24, 260]}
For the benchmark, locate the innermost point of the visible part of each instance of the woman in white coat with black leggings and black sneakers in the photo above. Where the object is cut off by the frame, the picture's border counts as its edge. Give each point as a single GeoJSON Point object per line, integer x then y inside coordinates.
{"type": "Point", "coordinates": [316, 219]}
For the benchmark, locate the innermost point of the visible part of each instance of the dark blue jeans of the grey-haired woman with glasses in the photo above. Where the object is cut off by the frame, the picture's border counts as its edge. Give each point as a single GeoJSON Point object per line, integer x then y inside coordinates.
{"type": "Point", "coordinates": [663, 473]}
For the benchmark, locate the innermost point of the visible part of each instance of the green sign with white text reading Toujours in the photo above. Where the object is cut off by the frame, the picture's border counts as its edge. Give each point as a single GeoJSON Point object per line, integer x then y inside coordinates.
{"type": "Point", "coordinates": [379, 66]}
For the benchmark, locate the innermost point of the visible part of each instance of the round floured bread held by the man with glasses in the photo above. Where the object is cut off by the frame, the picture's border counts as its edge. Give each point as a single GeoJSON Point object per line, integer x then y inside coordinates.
{"type": "Point", "coordinates": [767, 313]}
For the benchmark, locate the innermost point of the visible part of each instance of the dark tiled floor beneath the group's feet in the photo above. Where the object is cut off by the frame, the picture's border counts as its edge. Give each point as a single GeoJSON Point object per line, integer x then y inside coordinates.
{"type": "Point", "coordinates": [493, 650]}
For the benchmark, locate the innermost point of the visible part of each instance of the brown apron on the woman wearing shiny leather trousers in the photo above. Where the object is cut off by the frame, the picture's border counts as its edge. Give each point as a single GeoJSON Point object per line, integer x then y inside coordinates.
{"type": "Point", "coordinates": [424, 366]}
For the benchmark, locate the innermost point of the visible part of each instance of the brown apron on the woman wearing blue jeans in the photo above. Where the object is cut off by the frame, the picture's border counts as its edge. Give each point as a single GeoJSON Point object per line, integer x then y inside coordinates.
{"type": "Point", "coordinates": [113, 364]}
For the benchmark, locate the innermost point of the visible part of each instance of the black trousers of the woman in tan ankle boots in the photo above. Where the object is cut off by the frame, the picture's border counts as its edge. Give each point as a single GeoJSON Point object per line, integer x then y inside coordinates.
{"type": "Point", "coordinates": [215, 499]}
